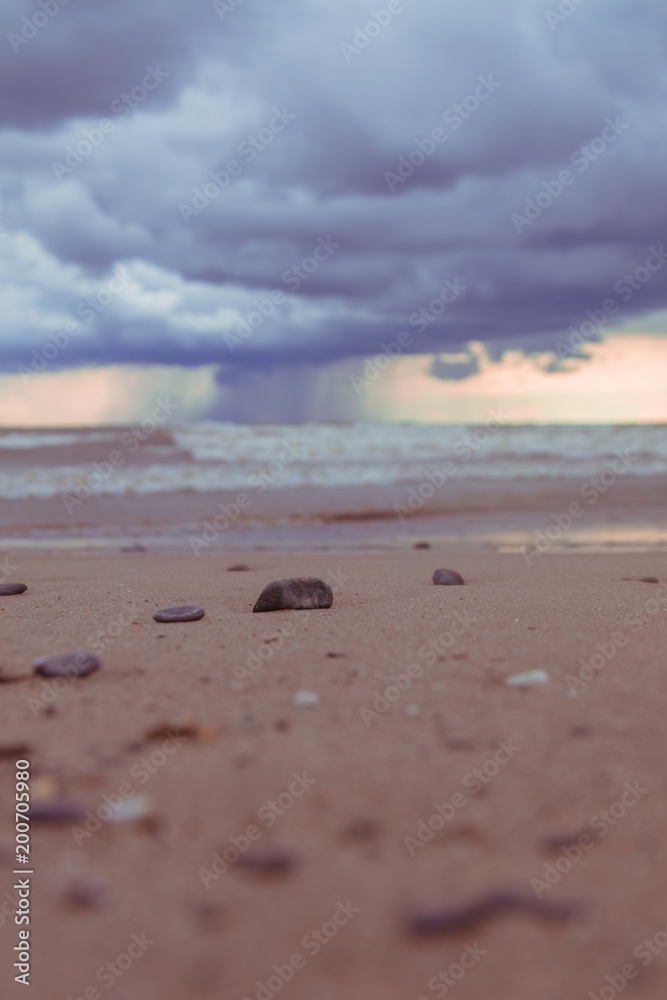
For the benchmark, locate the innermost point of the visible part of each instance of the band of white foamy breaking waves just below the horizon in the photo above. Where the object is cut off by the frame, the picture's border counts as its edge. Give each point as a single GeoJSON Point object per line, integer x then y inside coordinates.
{"type": "Point", "coordinates": [227, 456]}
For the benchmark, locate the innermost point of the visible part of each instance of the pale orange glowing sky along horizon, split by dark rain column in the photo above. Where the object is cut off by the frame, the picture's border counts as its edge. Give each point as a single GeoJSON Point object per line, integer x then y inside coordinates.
{"type": "Point", "coordinates": [624, 382]}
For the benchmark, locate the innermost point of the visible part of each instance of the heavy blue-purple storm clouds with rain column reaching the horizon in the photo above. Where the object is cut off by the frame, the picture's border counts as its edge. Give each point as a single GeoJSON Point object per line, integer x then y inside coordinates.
{"type": "Point", "coordinates": [338, 211]}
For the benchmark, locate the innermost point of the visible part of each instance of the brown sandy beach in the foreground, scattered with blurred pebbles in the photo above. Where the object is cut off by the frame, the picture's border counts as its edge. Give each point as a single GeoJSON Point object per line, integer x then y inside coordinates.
{"type": "Point", "coordinates": [286, 832]}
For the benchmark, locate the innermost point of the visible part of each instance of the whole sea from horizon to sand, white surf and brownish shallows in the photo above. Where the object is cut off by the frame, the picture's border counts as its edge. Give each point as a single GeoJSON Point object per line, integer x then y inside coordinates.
{"type": "Point", "coordinates": [322, 484]}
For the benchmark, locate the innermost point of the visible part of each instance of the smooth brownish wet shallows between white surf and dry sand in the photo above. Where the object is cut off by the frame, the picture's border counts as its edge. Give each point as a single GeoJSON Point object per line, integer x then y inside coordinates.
{"type": "Point", "coordinates": [473, 514]}
